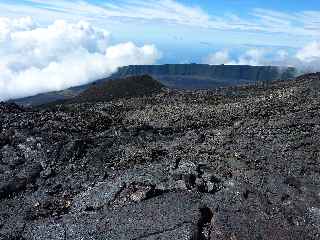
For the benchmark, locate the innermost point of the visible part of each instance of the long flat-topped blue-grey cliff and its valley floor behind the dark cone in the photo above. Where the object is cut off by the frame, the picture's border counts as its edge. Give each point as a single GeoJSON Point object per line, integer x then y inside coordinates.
{"type": "Point", "coordinates": [193, 76]}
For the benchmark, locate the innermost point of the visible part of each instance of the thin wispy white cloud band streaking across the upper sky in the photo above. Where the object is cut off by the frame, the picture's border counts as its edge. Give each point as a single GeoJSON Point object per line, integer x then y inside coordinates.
{"type": "Point", "coordinates": [302, 23]}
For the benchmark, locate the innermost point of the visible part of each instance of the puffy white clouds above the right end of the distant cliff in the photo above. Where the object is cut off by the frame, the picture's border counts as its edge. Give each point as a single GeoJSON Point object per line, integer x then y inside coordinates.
{"type": "Point", "coordinates": [306, 59]}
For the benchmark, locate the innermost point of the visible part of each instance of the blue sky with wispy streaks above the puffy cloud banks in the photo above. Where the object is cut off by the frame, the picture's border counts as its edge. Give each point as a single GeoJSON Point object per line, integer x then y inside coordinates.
{"type": "Point", "coordinates": [187, 30]}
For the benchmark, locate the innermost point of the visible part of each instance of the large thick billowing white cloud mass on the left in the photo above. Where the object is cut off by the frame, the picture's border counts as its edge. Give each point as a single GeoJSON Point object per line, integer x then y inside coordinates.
{"type": "Point", "coordinates": [35, 59]}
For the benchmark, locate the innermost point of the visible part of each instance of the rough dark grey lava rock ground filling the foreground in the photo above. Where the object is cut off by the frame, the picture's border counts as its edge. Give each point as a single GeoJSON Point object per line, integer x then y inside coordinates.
{"type": "Point", "coordinates": [240, 163]}
